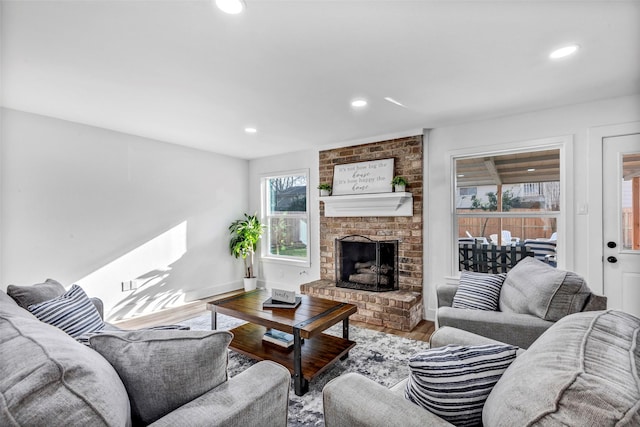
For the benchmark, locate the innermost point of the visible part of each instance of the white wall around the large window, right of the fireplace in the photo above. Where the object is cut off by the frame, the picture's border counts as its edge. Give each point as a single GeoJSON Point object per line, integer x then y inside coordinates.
{"type": "Point", "coordinates": [574, 121]}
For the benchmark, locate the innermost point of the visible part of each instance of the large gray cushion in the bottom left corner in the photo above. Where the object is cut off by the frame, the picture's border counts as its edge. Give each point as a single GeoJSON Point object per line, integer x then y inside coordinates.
{"type": "Point", "coordinates": [48, 379]}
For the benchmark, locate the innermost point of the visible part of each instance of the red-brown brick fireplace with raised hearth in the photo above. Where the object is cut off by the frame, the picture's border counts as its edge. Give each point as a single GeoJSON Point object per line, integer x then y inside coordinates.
{"type": "Point", "coordinates": [398, 309]}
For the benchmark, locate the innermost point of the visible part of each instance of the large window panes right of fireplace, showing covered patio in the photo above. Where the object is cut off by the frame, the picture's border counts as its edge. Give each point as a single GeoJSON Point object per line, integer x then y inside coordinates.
{"type": "Point", "coordinates": [516, 200]}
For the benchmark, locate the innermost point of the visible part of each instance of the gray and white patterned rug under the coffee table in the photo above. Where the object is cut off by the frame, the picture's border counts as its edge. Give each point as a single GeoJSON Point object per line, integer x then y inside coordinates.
{"type": "Point", "coordinates": [378, 356]}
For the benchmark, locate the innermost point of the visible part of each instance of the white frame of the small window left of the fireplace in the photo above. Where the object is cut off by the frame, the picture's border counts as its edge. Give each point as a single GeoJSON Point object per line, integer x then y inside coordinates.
{"type": "Point", "coordinates": [265, 256]}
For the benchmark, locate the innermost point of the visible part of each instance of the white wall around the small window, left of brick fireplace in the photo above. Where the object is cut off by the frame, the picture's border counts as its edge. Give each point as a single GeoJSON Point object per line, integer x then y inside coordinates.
{"type": "Point", "coordinates": [274, 274]}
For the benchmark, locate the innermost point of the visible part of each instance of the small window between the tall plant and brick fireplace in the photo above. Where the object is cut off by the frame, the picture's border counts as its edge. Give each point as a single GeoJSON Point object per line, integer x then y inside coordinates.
{"type": "Point", "coordinates": [286, 214]}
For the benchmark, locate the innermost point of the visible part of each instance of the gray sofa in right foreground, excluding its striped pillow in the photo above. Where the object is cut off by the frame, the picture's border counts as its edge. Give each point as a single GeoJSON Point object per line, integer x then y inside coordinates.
{"type": "Point", "coordinates": [582, 371]}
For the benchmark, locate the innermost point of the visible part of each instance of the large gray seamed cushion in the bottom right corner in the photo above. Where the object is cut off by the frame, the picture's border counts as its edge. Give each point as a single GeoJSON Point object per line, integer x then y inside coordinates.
{"type": "Point", "coordinates": [583, 371]}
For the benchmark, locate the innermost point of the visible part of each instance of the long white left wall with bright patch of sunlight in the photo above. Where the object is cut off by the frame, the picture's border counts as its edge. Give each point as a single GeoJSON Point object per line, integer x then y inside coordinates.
{"type": "Point", "coordinates": [96, 207]}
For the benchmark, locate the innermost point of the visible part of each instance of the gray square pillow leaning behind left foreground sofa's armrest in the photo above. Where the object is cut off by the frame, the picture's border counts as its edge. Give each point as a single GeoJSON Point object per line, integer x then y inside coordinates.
{"type": "Point", "coordinates": [164, 369]}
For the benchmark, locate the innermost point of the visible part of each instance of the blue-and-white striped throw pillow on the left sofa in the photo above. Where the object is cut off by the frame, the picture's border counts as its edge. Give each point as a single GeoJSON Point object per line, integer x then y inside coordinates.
{"type": "Point", "coordinates": [73, 312]}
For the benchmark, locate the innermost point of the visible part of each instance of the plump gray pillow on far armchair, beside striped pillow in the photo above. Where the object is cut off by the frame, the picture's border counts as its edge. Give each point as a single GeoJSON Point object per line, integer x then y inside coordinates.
{"type": "Point", "coordinates": [534, 287]}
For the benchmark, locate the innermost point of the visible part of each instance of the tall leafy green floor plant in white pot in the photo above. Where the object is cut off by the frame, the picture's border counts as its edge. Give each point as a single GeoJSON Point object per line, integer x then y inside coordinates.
{"type": "Point", "coordinates": [245, 234]}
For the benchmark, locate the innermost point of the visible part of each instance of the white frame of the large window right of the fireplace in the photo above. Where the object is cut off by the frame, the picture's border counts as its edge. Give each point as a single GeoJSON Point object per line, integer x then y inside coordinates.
{"type": "Point", "coordinates": [565, 232]}
